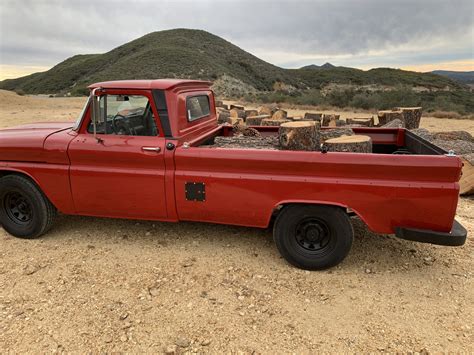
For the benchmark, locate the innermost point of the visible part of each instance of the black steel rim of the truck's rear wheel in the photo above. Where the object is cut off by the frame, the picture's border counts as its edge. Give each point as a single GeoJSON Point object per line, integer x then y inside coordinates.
{"type": "Point", "coordinates": [313, 235]}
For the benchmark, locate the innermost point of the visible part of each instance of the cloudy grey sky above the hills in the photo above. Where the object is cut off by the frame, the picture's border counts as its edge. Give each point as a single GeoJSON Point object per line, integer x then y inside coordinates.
{"type": "Point", "coordinates": [419, 35]}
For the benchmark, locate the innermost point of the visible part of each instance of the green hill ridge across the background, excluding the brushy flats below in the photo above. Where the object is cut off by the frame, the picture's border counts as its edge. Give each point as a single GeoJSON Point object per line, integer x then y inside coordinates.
{"type": "Point", "coordinates": [185, 53]}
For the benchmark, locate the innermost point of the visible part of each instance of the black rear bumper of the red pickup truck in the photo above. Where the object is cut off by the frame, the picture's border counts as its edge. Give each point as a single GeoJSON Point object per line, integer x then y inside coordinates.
{"type": "Point", "coordinates": [456, 237]}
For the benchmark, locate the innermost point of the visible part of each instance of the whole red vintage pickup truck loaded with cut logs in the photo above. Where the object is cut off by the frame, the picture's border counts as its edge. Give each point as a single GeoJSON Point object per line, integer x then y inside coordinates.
{"type": "Point", "coordinates": [144, 150]}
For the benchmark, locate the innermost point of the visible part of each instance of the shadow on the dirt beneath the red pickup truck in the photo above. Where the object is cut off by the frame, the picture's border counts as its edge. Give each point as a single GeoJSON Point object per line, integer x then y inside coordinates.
{"type": "Point", "coordinates": [370, 252]}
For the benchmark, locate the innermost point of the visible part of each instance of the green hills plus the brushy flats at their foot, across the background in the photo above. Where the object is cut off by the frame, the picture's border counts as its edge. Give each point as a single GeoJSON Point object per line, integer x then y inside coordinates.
{"type": "Point", "coordinates": [196, 54]}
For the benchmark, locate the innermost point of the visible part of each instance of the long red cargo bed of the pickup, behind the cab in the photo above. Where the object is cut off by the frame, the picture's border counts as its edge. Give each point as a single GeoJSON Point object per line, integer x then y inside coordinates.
{"type": "Point", "coordinates": [245, 186]}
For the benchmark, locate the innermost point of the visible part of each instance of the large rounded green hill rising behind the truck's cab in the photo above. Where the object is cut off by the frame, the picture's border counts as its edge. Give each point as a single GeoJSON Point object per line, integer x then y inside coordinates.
{"type": "Point", "coordinates": [167, 54]}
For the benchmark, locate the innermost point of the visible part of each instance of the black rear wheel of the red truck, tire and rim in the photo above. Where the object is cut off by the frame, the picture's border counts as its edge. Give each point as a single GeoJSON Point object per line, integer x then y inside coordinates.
{"type": "Point", "coordinates": [313, 237]}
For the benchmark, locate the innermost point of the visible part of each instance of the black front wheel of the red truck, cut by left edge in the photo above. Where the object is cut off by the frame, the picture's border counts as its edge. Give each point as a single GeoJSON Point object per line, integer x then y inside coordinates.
{"type": "Point", "coordinates": [24, 210]}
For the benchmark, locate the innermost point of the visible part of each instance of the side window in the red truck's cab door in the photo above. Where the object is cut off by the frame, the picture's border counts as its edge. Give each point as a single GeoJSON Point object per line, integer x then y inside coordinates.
{"type": "Point", "coordinates": [125, 115]}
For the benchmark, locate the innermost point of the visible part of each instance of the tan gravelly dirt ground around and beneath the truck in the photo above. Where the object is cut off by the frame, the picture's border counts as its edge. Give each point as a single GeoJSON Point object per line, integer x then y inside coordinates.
{"type": "Point", "coordinates": [107, 285]}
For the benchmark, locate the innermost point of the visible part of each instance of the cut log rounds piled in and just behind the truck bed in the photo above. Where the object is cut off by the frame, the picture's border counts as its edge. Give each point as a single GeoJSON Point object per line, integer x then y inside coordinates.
{"type": "Point", "coordinates": [294, 133]}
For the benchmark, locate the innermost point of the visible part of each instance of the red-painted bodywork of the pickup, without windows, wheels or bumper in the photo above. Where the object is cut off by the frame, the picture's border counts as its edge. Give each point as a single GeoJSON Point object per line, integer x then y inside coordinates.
{"type": "Point", "coordinates": [115, 178]}
